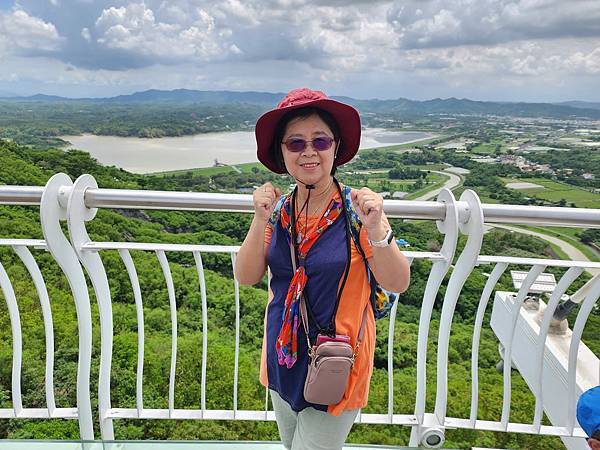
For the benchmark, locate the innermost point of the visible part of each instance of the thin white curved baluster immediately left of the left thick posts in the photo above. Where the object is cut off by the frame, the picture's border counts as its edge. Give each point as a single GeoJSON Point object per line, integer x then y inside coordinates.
{"type": "Point", "coordinates": [36, 275]}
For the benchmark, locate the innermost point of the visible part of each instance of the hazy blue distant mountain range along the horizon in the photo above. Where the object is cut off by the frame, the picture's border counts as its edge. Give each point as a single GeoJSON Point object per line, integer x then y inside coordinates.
{"type": "Point", "coordinates": [400, 106]}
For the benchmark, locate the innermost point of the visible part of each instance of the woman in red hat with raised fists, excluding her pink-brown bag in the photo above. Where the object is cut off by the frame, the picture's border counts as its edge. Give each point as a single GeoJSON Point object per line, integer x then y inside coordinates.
{"type": "Point", "coordinates": [308, 135]}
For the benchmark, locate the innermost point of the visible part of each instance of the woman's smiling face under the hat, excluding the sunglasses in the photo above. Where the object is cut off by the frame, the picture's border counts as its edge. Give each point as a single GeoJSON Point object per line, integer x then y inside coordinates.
{"type": "Point", "coordinates": [309, 165]}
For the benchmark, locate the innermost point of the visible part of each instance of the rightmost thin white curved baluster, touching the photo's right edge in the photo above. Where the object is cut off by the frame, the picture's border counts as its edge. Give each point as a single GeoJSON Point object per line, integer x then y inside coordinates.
{"type": "Point", "coordinates": [584, 311]}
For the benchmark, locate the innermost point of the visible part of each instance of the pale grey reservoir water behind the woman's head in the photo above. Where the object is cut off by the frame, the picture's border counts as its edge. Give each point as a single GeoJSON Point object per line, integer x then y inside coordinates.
{"type": "Point", "coordinates": [139, 155]}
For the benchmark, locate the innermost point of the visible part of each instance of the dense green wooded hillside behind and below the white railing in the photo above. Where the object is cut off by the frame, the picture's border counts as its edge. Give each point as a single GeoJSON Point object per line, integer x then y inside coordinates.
{"type": "Point", "coordinates": [29, 166]}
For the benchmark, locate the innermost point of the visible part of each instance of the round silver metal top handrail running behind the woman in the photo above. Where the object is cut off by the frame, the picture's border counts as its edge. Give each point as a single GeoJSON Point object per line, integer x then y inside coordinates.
{"type": "Point", "coordinates": [202, 201]}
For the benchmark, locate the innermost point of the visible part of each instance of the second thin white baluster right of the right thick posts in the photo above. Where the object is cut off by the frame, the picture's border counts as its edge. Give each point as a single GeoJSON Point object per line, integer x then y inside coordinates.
{"type": "Point", "coordinates": [532, 275]}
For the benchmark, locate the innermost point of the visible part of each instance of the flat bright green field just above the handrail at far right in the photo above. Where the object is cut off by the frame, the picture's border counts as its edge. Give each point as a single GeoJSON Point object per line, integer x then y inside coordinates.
{"type": "Point", "coordinates": [555, 191]}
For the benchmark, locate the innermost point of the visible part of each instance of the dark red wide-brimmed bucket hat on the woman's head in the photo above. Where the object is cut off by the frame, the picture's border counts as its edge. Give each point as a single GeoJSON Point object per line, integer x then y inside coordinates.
{"type": "Point", "coordinates": [346, 117]}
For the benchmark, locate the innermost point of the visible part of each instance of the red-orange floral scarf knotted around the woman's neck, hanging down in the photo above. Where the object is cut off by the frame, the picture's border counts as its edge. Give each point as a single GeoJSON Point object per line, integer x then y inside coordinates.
{"type": "Point", "coordinates": [287, 342]}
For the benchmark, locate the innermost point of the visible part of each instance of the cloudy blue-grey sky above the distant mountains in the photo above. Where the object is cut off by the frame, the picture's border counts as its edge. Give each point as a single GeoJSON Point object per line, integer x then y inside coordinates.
{"type": "Point", "coordinates": [514, 50]}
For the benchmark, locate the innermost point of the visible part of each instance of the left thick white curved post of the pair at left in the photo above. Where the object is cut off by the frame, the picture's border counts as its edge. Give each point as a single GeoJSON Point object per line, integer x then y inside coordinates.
{"type": "Point", "coordinates": [51, 214]}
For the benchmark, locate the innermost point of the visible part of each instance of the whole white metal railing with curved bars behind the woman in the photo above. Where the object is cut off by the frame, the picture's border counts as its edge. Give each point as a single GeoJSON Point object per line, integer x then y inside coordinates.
{"type": "Point", "coordinates": [77, 203]}
